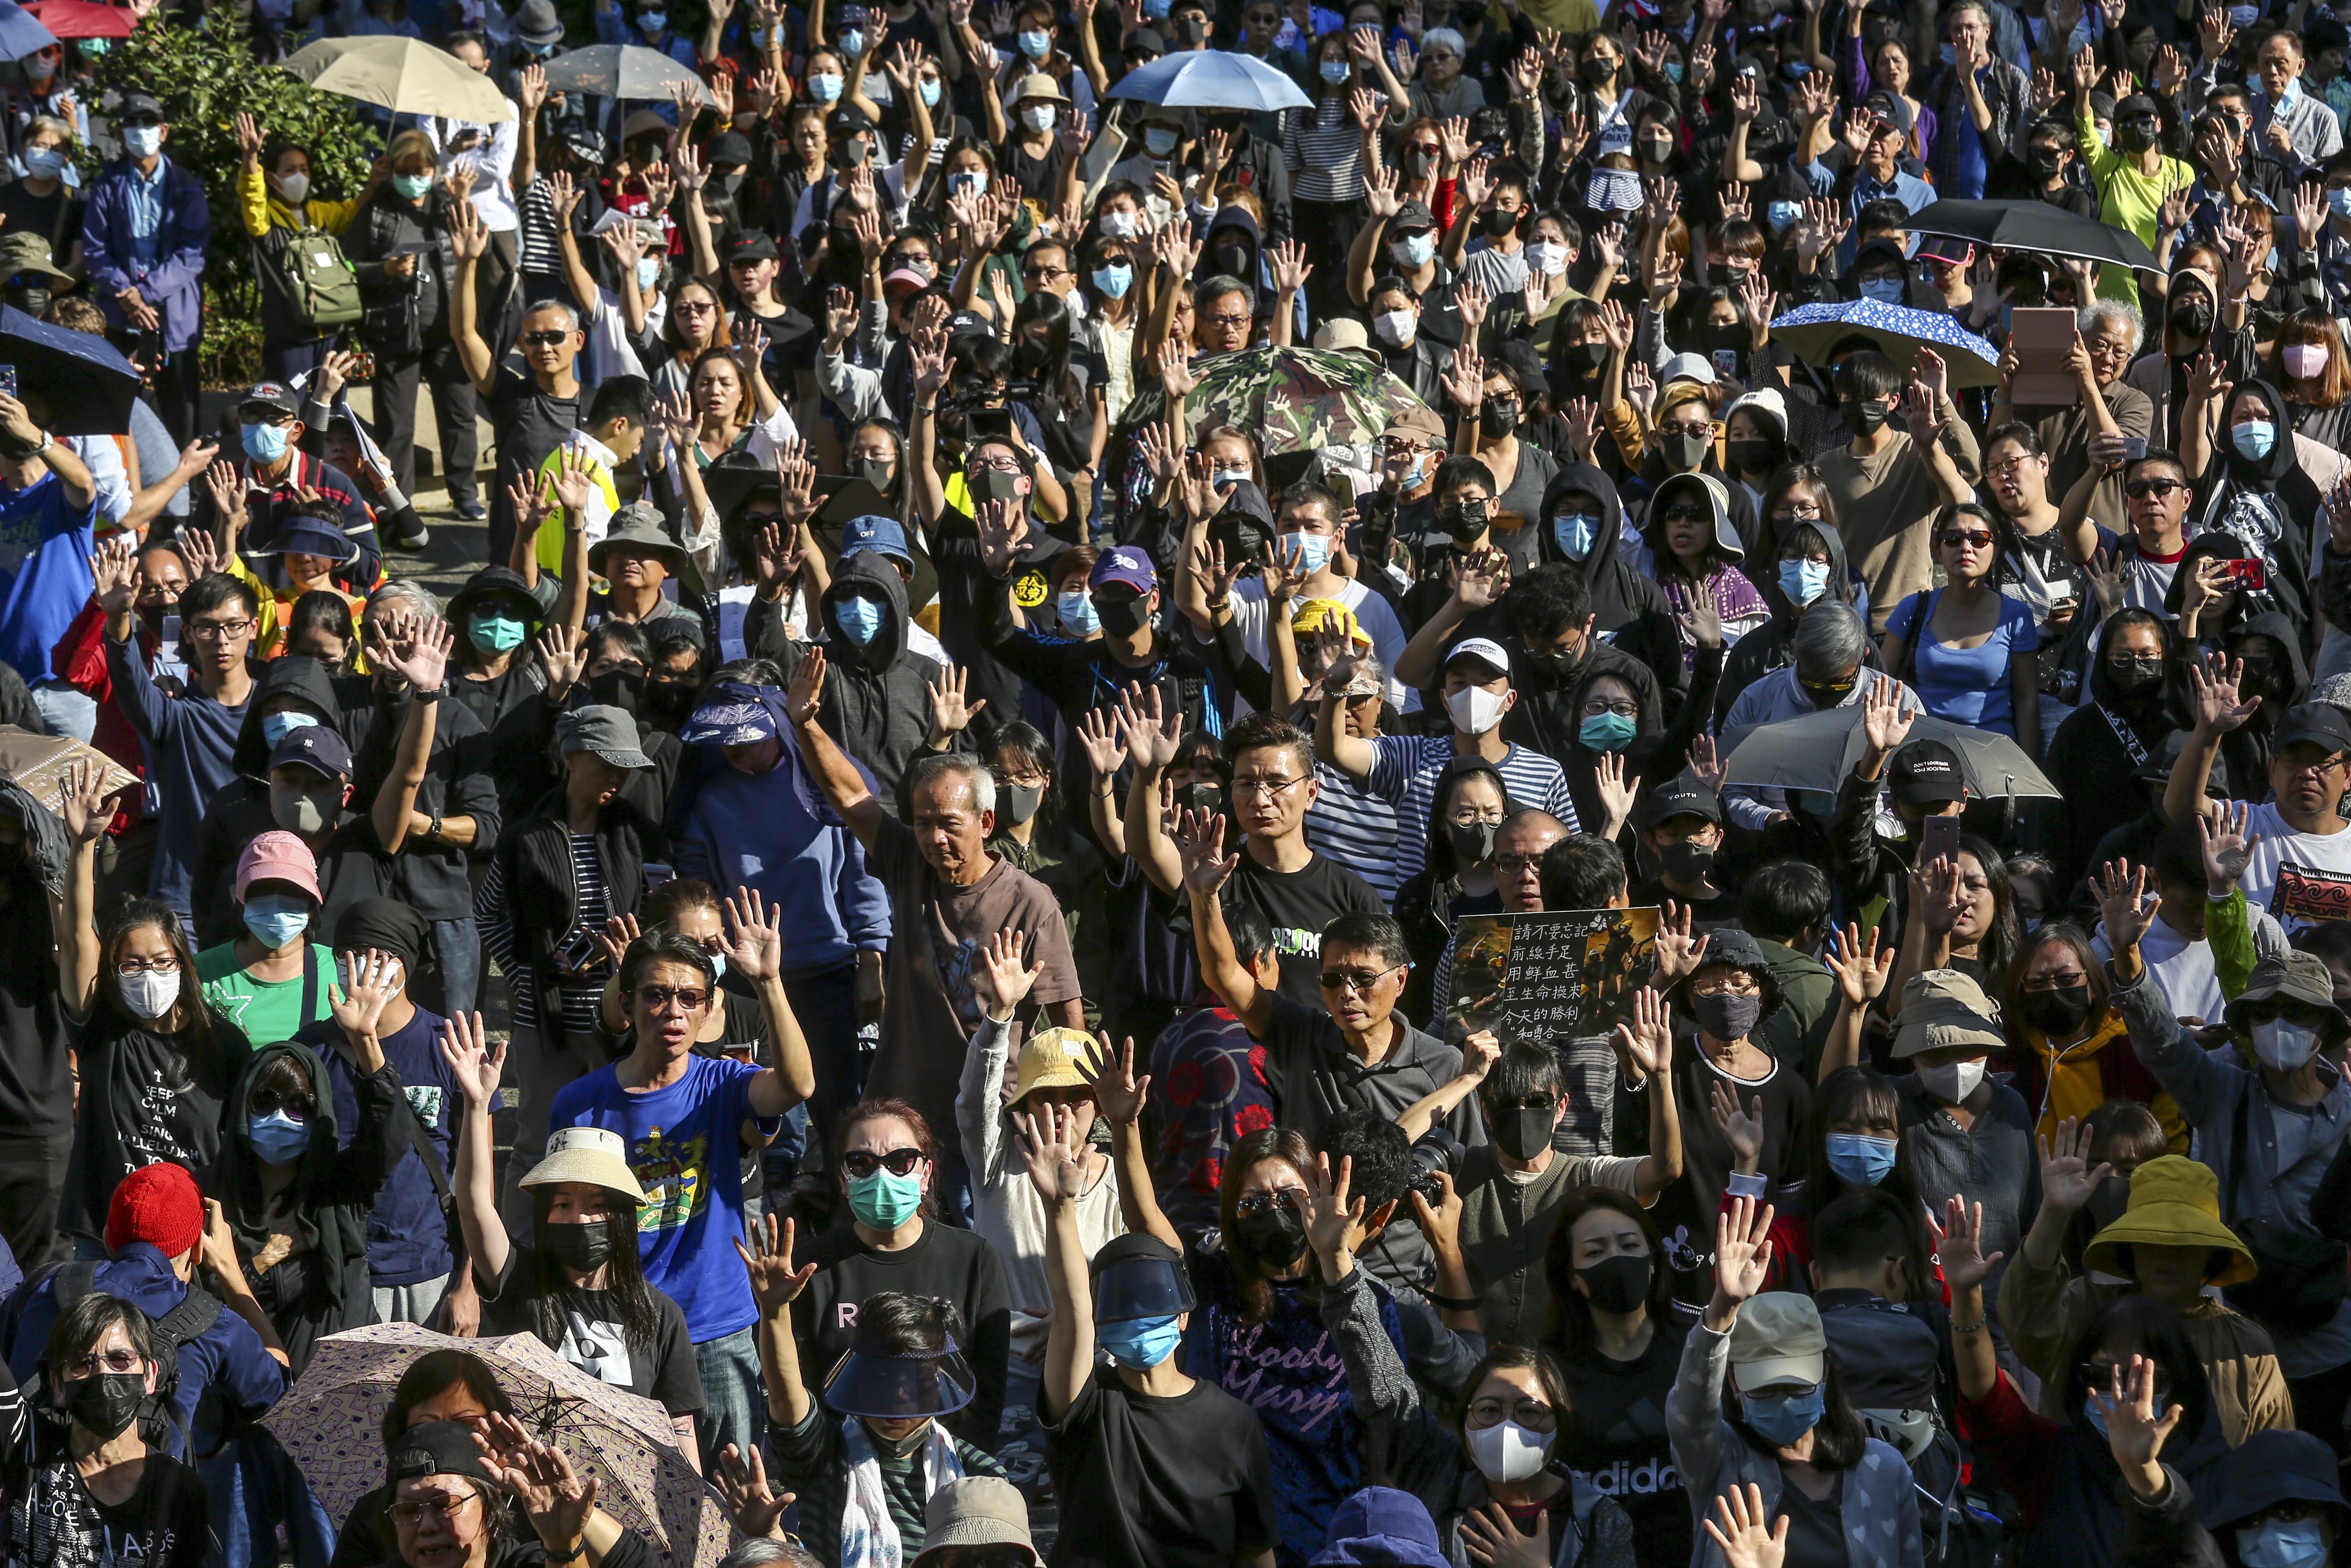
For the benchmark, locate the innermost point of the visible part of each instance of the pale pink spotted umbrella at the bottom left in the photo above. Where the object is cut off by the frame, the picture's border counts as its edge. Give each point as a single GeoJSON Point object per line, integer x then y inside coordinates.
{"type": "Point", "coordinates": [330, 1421]}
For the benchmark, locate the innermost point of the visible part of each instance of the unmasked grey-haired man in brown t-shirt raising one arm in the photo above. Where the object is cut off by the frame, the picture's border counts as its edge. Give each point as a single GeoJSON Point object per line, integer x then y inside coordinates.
{"type": "Point", "coordinates": [949, 899]}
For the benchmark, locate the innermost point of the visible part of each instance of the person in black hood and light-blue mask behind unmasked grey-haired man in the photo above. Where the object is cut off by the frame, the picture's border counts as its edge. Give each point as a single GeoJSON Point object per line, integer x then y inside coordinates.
{"type": "Point", "coordinates": [878, 697]}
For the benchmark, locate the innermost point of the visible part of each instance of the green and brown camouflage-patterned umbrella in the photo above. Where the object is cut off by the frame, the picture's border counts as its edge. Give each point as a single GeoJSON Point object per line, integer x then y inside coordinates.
{"type": "Point", "coordinates": [1292, 398]}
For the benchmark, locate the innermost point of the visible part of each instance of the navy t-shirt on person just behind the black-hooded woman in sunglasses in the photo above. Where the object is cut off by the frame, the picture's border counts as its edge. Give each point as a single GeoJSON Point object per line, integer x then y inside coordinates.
{"type": "Point", "coordinates": [408, 1240]}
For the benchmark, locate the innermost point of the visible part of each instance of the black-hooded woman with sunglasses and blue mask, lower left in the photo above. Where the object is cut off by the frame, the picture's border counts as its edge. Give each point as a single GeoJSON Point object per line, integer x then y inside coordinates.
{"type": "Point", "coordinates": [316, 1228]}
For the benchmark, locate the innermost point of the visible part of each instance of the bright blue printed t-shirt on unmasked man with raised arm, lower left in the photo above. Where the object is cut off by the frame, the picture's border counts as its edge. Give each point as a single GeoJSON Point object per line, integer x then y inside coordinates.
{"type": "Point", "coordinates": [683, 1144]}
